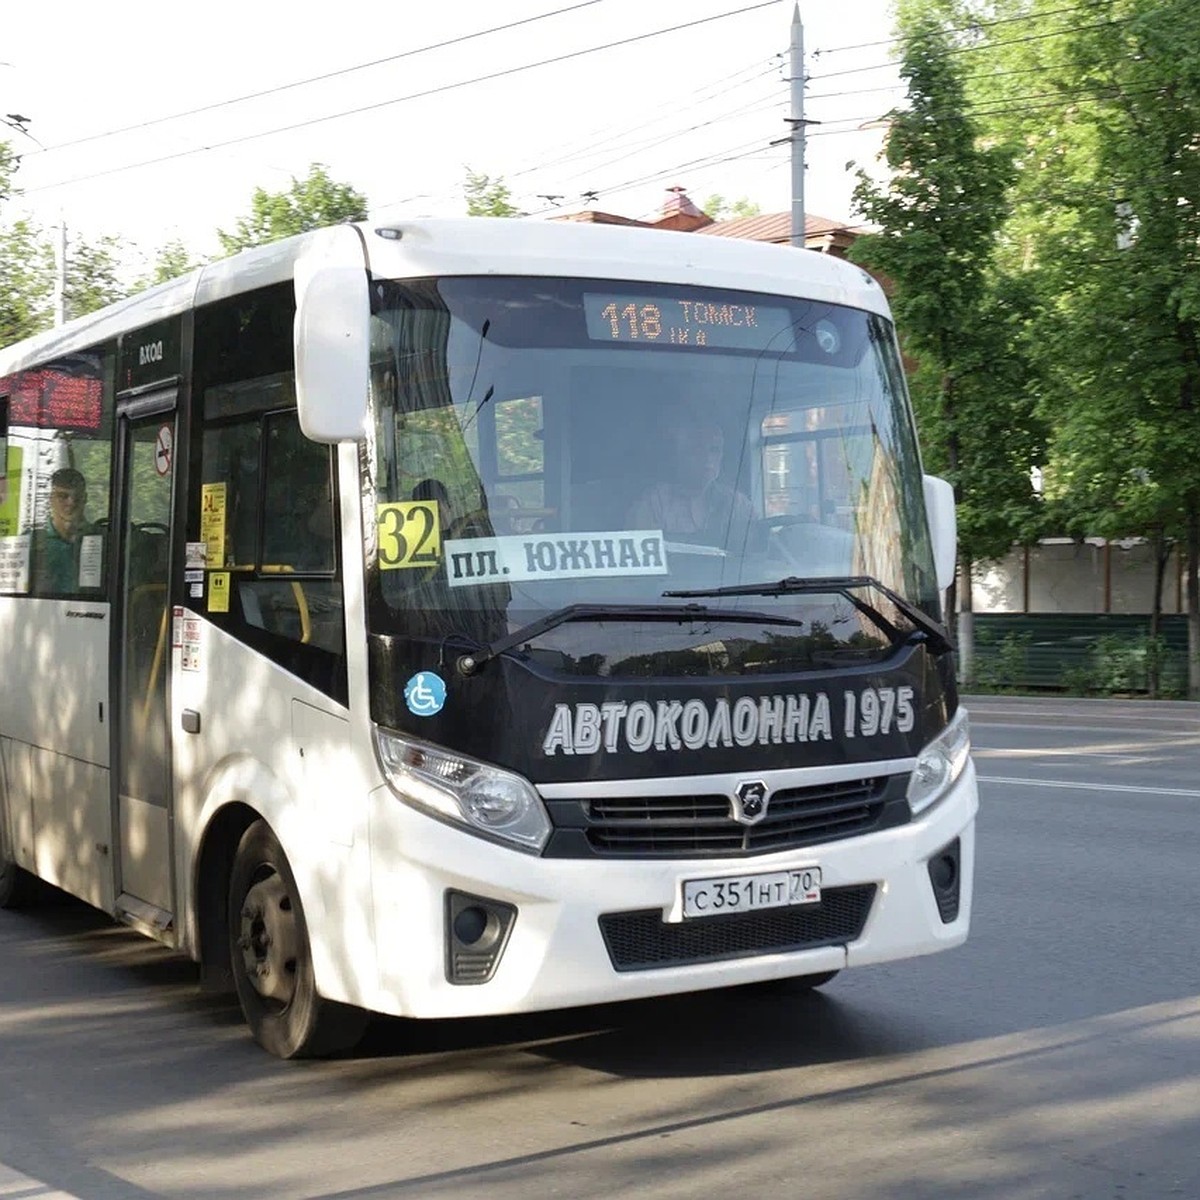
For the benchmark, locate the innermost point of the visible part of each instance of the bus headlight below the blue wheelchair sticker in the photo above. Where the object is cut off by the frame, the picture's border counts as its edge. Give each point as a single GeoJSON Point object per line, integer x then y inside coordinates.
{"type": "Point", "coordinates": [485, 800]}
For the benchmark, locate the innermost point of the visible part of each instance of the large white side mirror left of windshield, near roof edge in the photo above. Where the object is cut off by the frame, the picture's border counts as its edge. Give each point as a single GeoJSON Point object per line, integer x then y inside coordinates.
{"type": "Point", "coordinates": [332, 337]}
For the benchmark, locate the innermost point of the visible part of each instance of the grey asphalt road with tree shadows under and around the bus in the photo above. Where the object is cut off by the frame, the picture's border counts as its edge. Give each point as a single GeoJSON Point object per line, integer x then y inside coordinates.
{"type": "Point", "coordinates": [1057, 1055]}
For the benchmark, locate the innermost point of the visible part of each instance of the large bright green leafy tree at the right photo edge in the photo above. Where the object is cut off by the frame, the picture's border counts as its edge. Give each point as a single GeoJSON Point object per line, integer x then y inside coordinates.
{"type": "Point", "coordinates": [1107, 214]}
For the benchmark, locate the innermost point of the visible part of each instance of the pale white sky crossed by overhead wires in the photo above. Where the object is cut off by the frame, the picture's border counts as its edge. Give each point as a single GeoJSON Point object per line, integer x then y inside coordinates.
{"type": "Point", "coordinates": [369, 92]}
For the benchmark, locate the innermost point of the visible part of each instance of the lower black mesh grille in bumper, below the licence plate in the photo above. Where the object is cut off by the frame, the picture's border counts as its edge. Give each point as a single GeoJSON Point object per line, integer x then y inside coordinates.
{"type": "Point", "coordinates": [643, 941]}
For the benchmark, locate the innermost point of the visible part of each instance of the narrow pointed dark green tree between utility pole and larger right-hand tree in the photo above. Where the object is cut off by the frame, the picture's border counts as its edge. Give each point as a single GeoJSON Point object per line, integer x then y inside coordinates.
{"type": "Point", "coordinates": [961, 319]}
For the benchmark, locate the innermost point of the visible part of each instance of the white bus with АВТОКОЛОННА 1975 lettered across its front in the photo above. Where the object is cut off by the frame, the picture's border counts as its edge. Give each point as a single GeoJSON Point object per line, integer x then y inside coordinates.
{"type": "Point", "coordinates": [476, 617]}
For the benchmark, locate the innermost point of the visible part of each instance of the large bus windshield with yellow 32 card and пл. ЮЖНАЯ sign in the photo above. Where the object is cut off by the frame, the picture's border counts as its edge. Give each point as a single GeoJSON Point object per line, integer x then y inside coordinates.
{"type": "Point", "coordinates": [539, 443]}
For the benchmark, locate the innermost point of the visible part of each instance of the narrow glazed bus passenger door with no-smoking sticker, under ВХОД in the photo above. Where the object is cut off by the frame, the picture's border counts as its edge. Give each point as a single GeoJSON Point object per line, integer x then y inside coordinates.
{"type": "Point", "coordinates": [141, 665]}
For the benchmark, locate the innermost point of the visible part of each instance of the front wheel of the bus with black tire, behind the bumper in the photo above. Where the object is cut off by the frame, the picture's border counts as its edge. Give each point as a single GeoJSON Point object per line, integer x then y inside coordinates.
{"type": "Point", "coordinates": [272, 962]}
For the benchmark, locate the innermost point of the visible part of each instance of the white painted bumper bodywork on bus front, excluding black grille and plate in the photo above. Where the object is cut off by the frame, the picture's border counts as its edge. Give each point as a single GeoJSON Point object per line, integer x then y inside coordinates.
{"type": "Point", "coordinates": [556, 956]}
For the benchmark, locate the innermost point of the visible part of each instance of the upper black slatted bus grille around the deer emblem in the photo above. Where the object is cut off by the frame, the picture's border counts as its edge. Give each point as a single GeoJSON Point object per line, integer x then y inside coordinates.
{"type": "Point", "coordinates": [704, 826]}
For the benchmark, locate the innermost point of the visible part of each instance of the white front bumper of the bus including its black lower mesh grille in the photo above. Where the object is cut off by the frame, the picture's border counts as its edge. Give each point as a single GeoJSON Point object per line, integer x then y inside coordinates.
{"type": "Point", "coordinates": [587, 932]}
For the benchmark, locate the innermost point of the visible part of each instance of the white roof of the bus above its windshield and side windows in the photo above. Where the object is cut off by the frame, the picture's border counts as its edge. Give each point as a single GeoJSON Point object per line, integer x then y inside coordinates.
{"type": "Point", "coordinates": [484, 247]}
